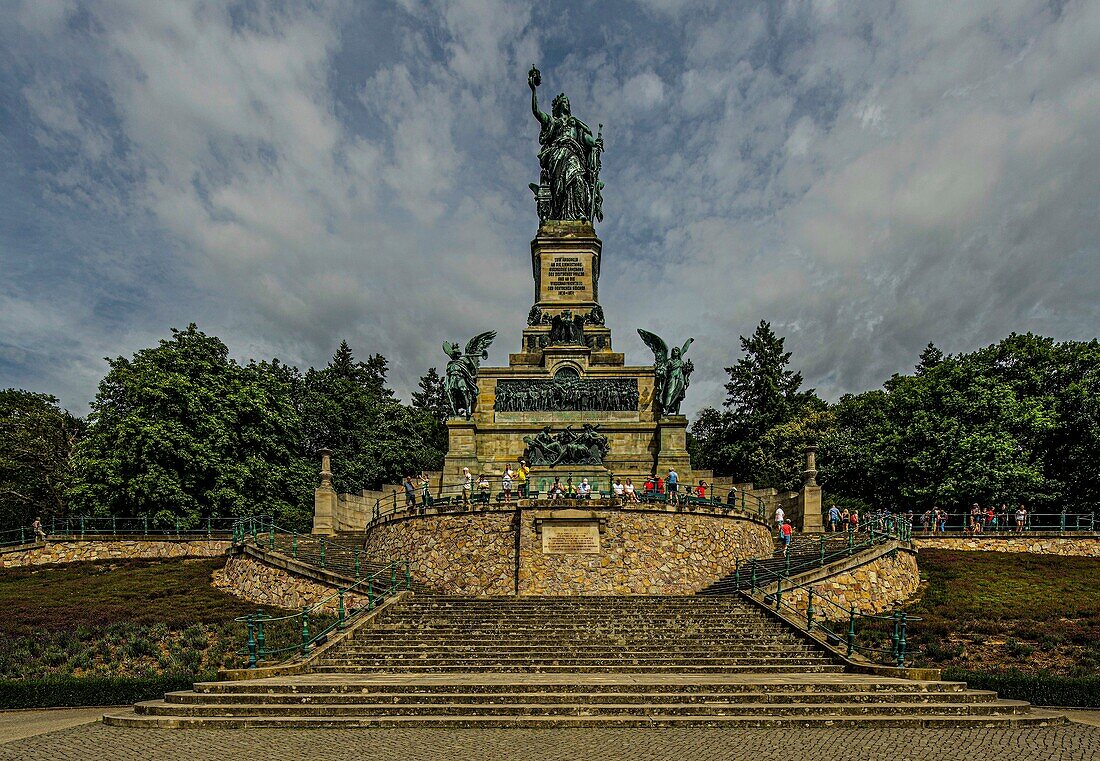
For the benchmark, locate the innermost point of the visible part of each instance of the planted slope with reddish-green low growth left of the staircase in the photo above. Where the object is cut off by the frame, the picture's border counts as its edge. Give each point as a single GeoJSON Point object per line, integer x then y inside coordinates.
{"type": "Point", "coordinates": [118, 620]}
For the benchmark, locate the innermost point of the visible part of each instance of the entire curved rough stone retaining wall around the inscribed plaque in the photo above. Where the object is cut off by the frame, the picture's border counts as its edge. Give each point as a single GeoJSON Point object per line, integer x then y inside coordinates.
{"type": "Point", "coordinates": [642, 554]}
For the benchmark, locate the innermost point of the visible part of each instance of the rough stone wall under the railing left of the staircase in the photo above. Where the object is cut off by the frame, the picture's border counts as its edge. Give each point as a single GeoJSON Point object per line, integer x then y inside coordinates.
{"type": "Point", "coordinates": [268, 587]}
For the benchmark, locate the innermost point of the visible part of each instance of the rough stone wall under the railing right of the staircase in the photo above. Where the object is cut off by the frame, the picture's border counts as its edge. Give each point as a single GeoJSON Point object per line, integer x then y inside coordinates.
{"type": "Point", "coordinates": [872, 588]}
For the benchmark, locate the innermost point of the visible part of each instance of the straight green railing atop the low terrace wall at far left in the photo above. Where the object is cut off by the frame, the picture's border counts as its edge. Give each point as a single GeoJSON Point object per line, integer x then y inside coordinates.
{"type": "Point", "coordinates": [59, 530]}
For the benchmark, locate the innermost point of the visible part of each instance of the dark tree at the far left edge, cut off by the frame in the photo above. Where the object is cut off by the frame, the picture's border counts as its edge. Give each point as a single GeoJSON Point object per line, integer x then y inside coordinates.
{"type": "Point", "coordinates": [37, 438]}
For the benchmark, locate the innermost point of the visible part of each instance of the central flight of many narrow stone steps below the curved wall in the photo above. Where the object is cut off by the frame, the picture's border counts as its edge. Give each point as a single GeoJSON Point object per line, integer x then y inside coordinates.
{"type": "Point", "coordinates": [442, 635]}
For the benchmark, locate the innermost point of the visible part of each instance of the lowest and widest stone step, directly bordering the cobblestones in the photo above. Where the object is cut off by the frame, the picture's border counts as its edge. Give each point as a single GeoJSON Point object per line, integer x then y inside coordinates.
{"type": "Point", "coordinates": [867, 721]}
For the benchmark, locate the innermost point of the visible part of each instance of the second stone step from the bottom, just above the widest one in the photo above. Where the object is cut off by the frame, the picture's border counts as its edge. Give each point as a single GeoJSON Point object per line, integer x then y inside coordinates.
{"type": "Point", "coordinates": [711, 709]}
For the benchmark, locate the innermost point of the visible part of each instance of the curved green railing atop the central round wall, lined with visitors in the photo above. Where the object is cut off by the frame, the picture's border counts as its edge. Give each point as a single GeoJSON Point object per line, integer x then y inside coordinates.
{"type": "Point", "coordinates": [454, 499]}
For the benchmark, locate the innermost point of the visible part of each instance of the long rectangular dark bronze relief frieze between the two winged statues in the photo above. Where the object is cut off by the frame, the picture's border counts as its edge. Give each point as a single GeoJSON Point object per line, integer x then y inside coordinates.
{"type": "Point", "coordinates": [587, 395]}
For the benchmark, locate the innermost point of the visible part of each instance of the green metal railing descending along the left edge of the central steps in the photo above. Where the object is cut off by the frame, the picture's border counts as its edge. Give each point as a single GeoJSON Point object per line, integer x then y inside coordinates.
{"type": "Point", "coordinates": [299, 634]}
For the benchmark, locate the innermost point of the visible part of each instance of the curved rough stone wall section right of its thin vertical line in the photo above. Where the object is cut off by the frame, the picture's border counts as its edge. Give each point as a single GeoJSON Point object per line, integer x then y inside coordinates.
{"type": "Point", "coordinates": [644, 554]}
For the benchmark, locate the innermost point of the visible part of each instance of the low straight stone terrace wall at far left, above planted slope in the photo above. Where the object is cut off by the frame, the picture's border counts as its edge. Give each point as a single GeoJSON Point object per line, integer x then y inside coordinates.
{"type": "Point", "coordinates": [93, 549]}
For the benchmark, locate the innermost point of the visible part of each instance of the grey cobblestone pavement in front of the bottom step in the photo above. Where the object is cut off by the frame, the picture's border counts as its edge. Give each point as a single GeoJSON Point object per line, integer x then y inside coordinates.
{"type": "Point", "coordinates": [102, 743]}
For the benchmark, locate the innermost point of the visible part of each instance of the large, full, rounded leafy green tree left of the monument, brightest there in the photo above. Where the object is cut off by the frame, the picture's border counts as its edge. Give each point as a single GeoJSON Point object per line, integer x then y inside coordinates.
{"type": "Point", "coordinates": [183, 432]}
